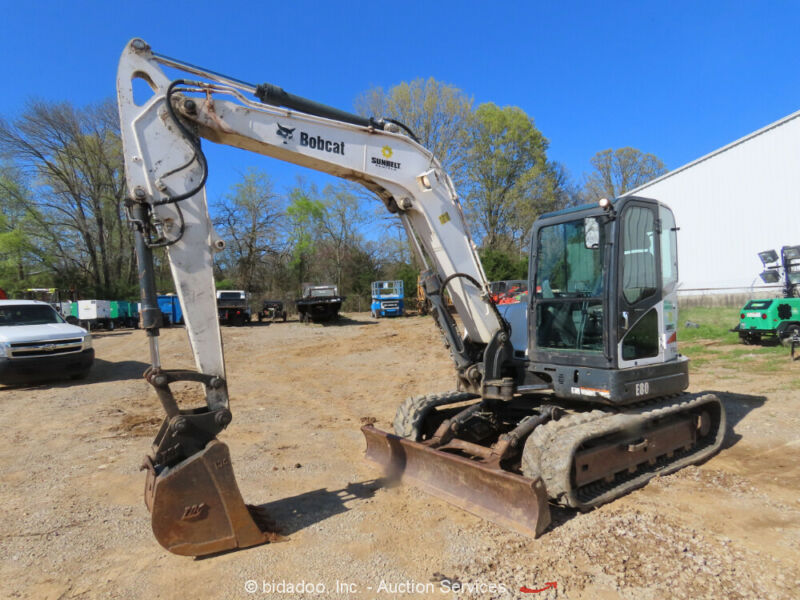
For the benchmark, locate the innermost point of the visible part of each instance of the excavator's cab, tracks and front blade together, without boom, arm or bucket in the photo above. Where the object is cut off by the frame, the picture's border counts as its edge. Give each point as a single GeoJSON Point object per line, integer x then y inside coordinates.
{"type": "Point", "coordinates": [597, 407]}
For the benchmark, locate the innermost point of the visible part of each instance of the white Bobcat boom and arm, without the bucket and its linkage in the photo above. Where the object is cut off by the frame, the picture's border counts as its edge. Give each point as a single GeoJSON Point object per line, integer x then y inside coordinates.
{"type": "Point", "coordinates": [166, 172]}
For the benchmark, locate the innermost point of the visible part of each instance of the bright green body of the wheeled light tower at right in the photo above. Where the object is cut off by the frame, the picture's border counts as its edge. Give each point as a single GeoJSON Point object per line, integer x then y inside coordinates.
{"type": "Point", "coordinates": [776, 318]}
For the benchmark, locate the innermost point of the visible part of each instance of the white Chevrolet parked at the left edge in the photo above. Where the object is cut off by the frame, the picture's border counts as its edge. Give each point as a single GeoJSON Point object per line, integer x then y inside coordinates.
{"type": "Point", "coordinates": [37, 343]}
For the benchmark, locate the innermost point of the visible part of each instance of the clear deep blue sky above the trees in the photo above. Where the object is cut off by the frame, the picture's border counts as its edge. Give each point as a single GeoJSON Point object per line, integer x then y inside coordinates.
{"type": "Point", "coordinates": [678, 79]}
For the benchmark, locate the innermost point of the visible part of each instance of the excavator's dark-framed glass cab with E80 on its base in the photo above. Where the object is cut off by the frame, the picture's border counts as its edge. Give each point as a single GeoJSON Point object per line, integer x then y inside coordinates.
{"type": "Point", "coordinates": [602, 320]}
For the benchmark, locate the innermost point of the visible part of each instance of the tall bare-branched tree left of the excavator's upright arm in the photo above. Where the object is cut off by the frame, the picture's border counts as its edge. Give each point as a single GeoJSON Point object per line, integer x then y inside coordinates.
{"type": "Point", "coordinates": [73, 159]}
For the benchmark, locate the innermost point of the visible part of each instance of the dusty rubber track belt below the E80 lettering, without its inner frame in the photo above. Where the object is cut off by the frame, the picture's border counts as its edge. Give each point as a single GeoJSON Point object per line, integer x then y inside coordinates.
{"type": "Point", "coordinates": [549, 451]}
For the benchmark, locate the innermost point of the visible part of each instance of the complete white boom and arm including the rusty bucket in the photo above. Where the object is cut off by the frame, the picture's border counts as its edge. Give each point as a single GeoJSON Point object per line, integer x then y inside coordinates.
{"type": "Point", "coordinates": [191, 491]}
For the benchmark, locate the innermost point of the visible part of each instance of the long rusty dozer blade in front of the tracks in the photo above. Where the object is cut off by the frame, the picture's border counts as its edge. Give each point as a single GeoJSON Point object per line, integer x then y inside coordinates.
{"type": "Point", "coordinates": [508, 499]}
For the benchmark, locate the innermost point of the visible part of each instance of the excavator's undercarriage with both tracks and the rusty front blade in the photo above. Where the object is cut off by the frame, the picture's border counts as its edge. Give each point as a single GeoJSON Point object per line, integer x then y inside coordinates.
{"type": "Point", "coordinates": [506, 461]}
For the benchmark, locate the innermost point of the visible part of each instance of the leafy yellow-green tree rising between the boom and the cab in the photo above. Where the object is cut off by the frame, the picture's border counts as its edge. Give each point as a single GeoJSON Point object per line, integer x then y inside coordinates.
{"type": "Point", "coordinates": [508, 178]}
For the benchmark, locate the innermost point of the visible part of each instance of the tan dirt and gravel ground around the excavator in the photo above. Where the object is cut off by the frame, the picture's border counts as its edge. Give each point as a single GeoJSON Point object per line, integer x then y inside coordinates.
{"type": "Point", "coordinates": [75, 526]}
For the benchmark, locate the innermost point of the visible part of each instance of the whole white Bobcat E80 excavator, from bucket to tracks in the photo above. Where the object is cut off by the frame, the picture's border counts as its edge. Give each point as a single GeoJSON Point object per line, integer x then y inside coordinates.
{"type": "Point", "coordinates": [573, 397]}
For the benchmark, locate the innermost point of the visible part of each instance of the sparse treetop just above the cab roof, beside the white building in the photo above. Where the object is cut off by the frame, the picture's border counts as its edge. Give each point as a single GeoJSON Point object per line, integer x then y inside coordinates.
{"type": "Point", "coordinates": [619, 171]}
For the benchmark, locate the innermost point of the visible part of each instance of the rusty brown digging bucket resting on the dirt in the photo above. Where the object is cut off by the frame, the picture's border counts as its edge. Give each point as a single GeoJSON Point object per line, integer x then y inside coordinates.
{"type": "Point", "coordinates": [197, 508]}
